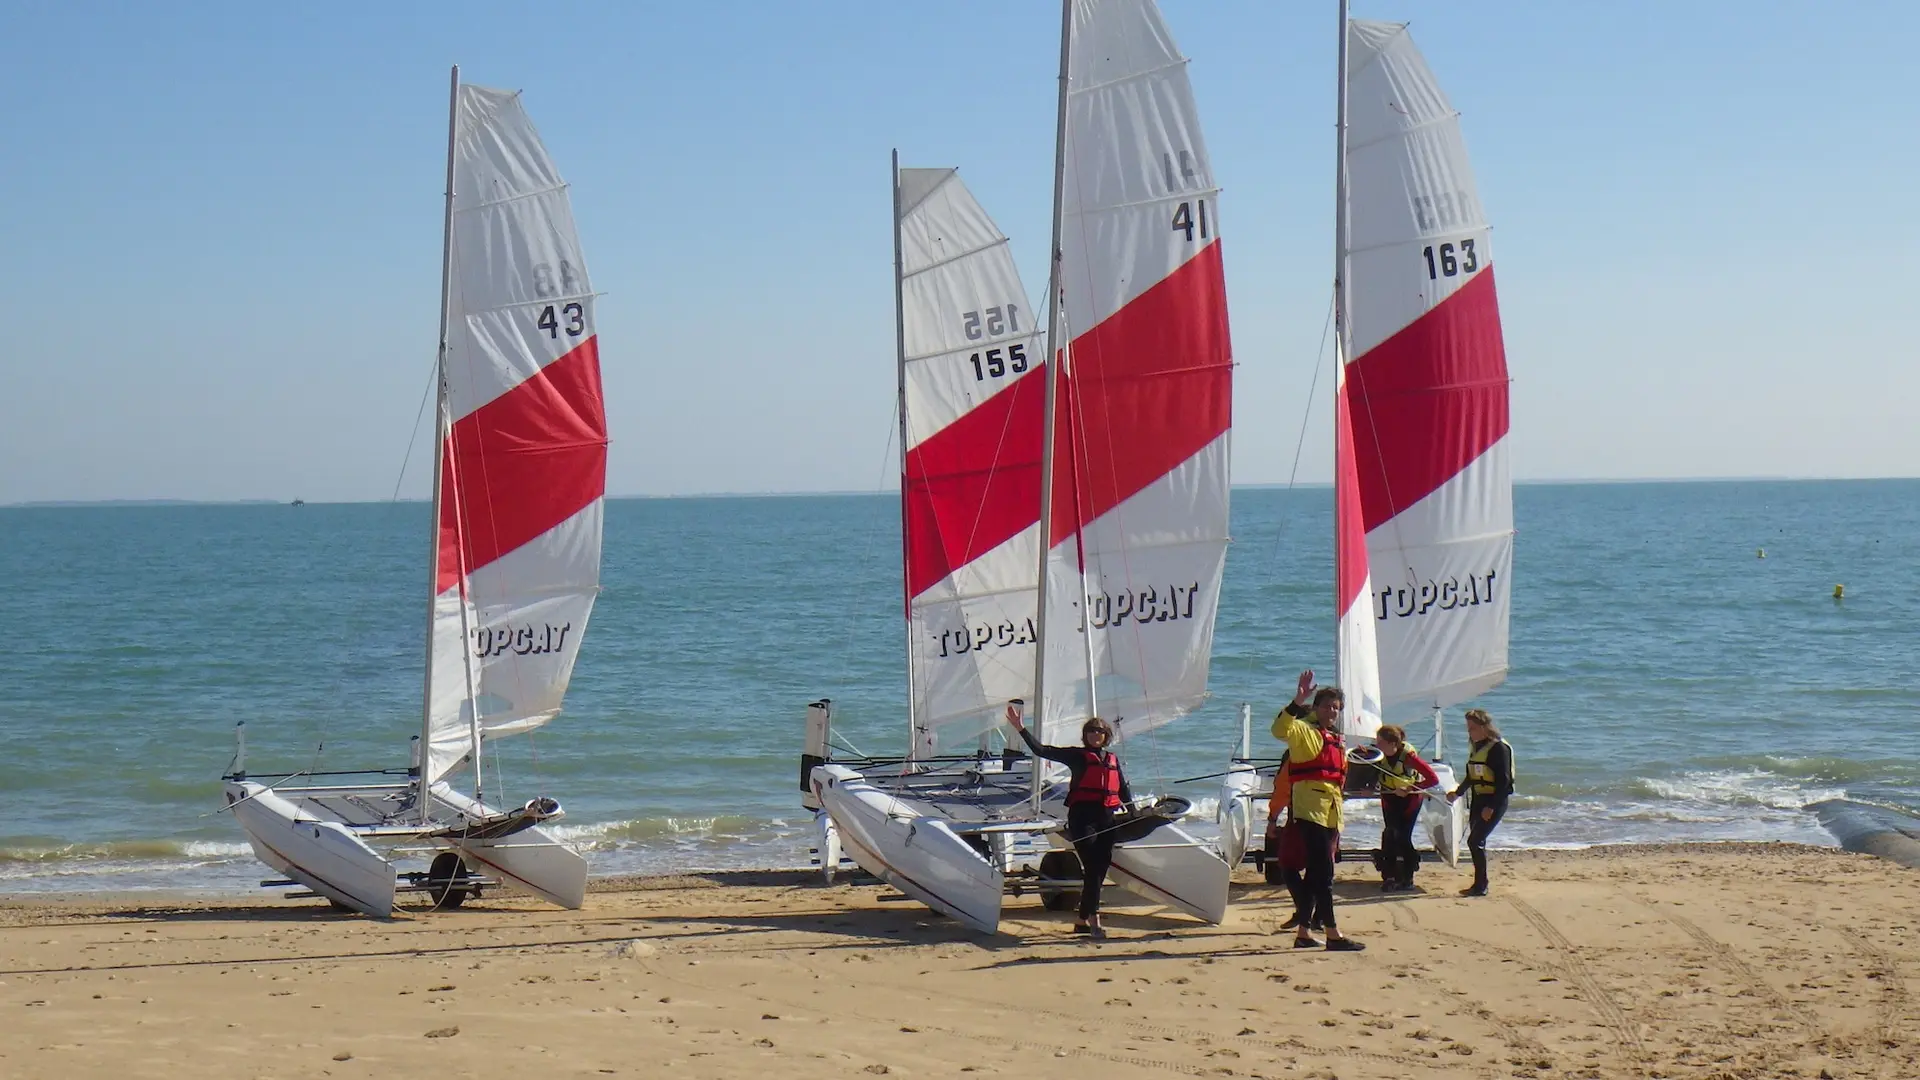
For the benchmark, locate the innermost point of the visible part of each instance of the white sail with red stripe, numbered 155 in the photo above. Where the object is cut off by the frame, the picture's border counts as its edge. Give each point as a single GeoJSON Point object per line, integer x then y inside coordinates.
{"type": "Point", "coordinates": [971, 489]}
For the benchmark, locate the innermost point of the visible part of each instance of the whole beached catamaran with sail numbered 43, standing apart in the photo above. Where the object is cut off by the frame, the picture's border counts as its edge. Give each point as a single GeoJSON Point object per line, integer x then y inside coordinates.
{"type": "Point", "coordinates": [516, 551]}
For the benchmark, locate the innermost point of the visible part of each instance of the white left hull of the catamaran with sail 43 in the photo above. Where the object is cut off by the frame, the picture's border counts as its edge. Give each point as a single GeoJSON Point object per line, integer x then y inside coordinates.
{"type": "Point", "coordinates": [324, 856]}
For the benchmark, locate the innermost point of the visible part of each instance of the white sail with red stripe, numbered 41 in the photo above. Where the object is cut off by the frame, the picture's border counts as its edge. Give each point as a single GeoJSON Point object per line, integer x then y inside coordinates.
{"type": "Point", "coordinates": [1140, 514]}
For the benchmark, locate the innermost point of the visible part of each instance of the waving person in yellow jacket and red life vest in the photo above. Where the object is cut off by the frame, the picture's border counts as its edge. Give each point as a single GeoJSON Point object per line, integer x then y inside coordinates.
{"type": "Point", "coordinates": [1318, 773]}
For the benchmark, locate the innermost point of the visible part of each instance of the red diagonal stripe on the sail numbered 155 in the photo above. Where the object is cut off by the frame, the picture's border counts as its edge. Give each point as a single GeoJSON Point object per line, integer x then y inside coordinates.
{"type": "Point", "coordinates": [976, 483]}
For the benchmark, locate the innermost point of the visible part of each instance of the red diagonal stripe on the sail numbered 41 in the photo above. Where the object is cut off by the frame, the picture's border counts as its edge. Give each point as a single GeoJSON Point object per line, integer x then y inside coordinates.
{"type": "Point", "coordinates": [1147, 389]}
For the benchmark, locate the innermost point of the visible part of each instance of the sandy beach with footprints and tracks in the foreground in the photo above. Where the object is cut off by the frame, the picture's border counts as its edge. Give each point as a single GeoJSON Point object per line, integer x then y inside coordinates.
{"type": "Point", "coordinates": [1685, 962]}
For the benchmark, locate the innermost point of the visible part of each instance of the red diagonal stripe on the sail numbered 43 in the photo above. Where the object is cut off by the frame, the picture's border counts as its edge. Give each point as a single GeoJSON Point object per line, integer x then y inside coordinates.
{"type": "Point", "coordinates": [523, 464]}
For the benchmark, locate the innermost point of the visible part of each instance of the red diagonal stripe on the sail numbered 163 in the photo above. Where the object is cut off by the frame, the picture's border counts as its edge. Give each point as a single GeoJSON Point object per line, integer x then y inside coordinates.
{"type": "Point", "coordinates": [1429, 401]}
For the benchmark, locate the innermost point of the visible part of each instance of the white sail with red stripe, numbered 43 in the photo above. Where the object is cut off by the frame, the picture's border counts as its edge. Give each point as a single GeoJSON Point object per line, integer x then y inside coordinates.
{"type": "Point", "coordinates": [523, 441]}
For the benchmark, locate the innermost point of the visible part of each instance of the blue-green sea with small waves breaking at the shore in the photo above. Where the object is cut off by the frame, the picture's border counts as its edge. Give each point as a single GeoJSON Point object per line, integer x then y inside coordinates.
{"type": "Point", "coordinates": [1668, 681]}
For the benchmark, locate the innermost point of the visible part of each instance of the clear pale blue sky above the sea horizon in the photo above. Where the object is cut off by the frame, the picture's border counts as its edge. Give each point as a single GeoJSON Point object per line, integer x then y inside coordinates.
{"type": "Point", "coordinates": [220, 226]}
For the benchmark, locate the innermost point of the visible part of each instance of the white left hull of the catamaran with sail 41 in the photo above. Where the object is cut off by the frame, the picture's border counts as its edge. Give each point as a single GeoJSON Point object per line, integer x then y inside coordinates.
{"type": "Point", "coordinates": [917, 854]}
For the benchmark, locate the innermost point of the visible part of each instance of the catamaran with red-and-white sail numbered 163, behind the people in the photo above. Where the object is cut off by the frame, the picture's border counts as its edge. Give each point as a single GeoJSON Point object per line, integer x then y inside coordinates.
{"type": "Point", "coordinates": [1424, 499]}
